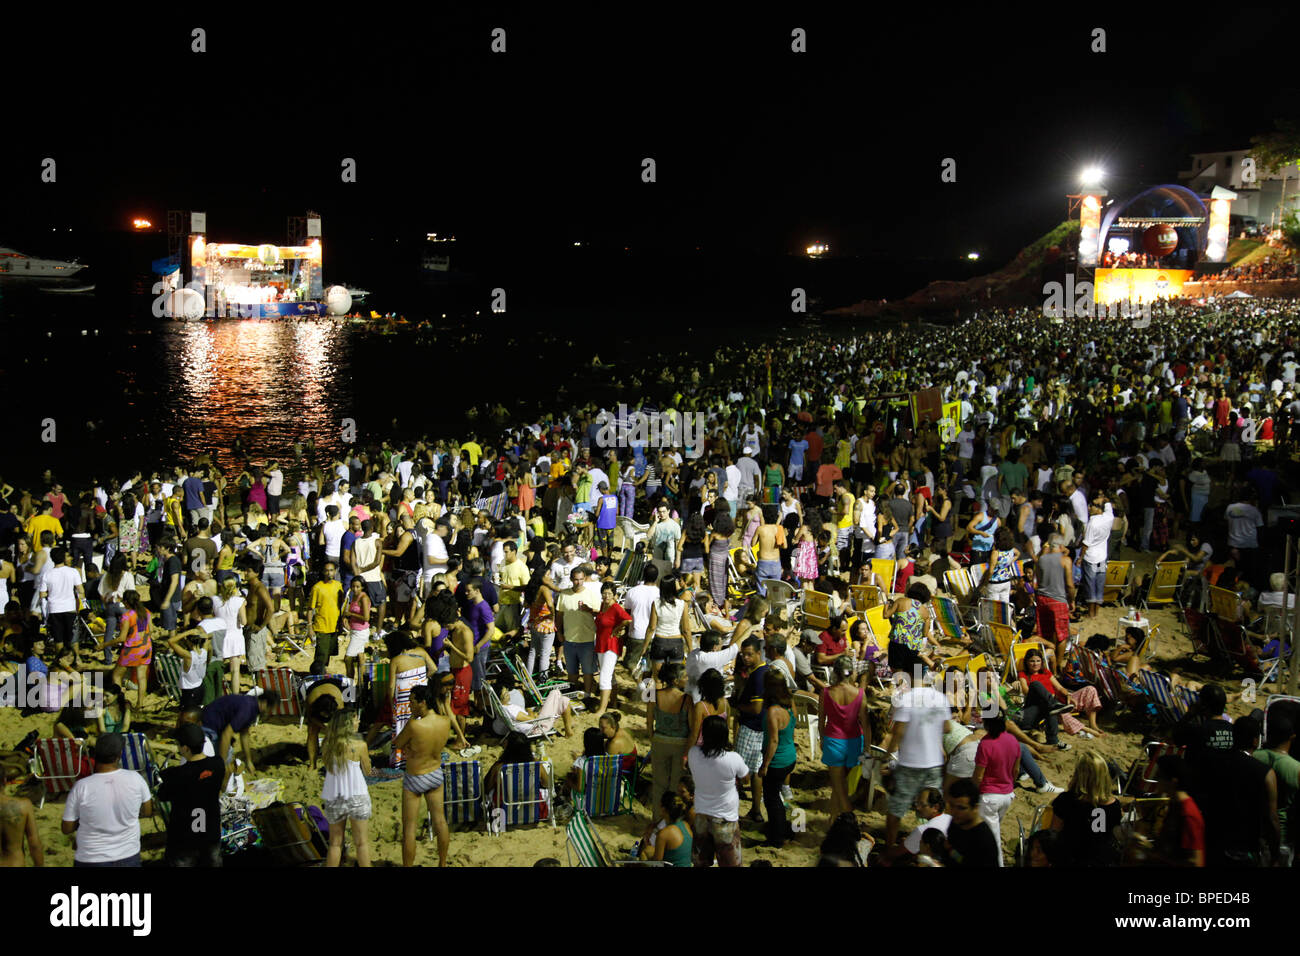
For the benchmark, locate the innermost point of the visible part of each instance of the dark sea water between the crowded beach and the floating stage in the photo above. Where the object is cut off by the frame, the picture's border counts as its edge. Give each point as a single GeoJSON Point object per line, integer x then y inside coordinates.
{"type": "Point", "coordinates": [119, 390]}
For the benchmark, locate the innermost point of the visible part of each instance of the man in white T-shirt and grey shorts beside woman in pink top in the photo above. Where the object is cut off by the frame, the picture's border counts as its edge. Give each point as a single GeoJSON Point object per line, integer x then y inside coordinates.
{"type": "Point", "coordinates": [921, 719]}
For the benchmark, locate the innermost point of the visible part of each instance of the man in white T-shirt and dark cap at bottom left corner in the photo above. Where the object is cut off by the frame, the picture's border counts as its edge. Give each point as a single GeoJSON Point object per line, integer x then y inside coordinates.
{"type": "Point", "coordinates": [105, 810]}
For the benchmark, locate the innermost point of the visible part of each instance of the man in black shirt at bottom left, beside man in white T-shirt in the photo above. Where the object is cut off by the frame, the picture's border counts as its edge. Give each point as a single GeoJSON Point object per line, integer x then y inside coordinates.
{"type": "Point", "coordinates": [194, 791]}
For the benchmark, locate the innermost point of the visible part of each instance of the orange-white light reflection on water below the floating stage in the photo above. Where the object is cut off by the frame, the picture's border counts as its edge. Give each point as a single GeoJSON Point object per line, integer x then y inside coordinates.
{"type": "Point", "coordinates": [266, 383]}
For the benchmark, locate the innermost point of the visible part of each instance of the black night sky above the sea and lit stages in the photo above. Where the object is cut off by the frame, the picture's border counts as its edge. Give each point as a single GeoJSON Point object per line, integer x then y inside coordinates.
{"type": "Point", "coordinates": [757, 149]}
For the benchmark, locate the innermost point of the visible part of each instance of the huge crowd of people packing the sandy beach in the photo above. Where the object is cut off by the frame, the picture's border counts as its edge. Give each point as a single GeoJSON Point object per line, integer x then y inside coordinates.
{"type": "Point", "coordinates": [1060, 445]}
